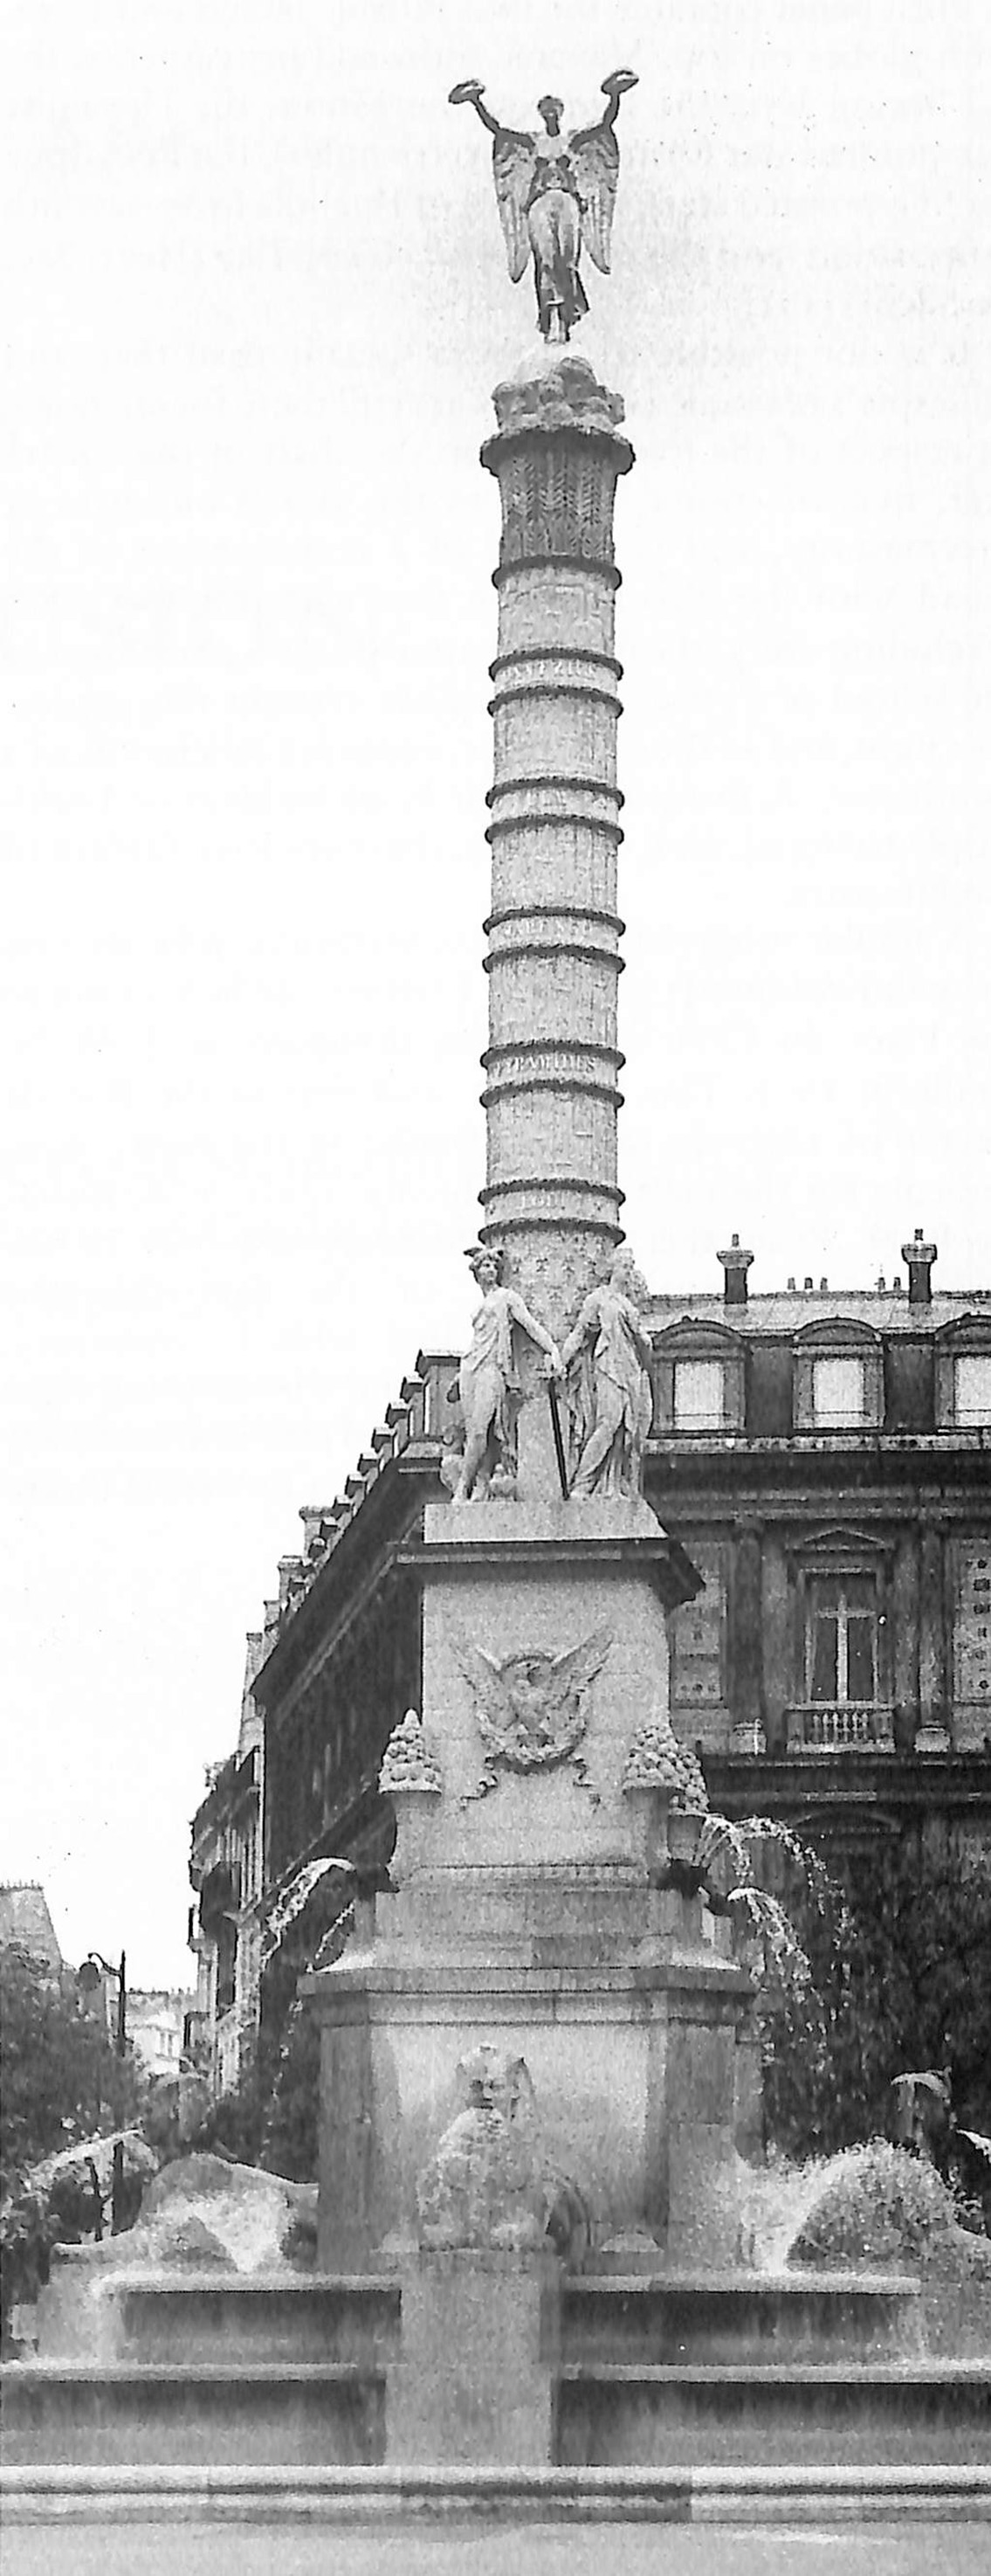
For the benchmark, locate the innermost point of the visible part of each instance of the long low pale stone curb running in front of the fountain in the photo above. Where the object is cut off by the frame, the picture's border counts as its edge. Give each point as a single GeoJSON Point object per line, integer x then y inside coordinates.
{"type": "Point", "coordinates": [542, 2495]}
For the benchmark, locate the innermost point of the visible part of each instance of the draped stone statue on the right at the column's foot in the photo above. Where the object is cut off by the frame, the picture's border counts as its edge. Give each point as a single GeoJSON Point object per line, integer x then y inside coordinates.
{"type": "Point", "coordinates": [609, 1359]}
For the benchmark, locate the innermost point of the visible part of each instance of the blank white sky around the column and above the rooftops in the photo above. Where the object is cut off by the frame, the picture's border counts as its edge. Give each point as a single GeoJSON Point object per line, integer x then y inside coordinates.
{"type": "Point", "coordinates": [254, 310]}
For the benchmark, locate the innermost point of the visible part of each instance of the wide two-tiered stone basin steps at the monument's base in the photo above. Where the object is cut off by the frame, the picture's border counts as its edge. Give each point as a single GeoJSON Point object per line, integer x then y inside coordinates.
{"type": "Point", "coordinates": [627, 2371]}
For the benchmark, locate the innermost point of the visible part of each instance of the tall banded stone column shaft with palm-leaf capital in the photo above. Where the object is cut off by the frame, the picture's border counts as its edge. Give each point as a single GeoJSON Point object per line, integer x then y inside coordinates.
{"type": "Point", "coordinates": [552, 1065]}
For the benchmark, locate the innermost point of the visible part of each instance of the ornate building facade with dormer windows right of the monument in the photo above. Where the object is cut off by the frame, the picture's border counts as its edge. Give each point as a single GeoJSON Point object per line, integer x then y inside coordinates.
{"type": "Point", "coordinates": [840, 1655]}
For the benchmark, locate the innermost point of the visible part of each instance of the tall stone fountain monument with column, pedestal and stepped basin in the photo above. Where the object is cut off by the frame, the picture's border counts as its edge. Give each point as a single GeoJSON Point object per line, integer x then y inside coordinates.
{"type": "Point", "coordinates": [539, 2062]}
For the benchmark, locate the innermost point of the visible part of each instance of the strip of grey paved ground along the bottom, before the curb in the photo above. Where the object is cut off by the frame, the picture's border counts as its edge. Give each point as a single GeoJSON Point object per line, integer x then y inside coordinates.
{"type": "Point", "coordinates": [596, 2549]}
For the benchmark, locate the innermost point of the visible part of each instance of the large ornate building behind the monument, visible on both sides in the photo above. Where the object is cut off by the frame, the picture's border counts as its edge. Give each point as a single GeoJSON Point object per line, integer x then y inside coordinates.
{"type": "Point", "coordinates": [825, 1457]}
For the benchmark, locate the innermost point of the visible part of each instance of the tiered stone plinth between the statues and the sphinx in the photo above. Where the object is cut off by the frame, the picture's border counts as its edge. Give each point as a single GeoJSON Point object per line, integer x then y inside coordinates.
{"type": "Point", "coordinates": [532, 1905]}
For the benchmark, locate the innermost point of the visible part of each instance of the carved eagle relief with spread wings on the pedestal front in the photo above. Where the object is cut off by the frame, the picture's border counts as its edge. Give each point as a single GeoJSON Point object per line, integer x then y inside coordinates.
{"type": "Point", "coordinates": [532, 1707]}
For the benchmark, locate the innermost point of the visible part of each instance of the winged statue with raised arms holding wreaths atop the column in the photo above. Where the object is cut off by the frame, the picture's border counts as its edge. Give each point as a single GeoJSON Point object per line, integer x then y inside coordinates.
{"type": "Point", "coordinates": [555, 197]}
